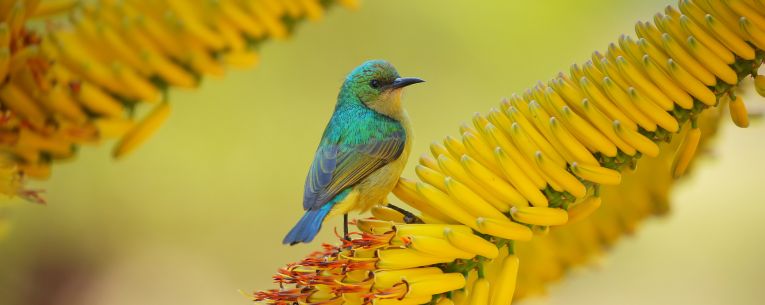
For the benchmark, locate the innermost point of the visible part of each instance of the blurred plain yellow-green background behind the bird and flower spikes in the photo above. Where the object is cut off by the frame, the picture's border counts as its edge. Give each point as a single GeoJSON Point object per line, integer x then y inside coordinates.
{"type": "Point", "coordinates": [200, 210]}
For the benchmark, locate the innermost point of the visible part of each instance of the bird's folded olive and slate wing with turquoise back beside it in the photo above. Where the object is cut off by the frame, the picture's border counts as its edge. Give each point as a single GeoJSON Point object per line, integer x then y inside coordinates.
{"type": "Point", "coordinates": [337, 166]}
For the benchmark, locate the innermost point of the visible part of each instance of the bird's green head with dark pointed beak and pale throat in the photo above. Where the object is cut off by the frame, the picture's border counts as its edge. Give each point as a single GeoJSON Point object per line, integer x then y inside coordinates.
{"type": "Point", "coordinates": [376, 83]}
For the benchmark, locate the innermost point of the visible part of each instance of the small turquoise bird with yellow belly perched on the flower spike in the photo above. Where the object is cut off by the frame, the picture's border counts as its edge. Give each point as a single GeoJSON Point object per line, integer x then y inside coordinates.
{"type": "Point", "coordinates": [362, 152]}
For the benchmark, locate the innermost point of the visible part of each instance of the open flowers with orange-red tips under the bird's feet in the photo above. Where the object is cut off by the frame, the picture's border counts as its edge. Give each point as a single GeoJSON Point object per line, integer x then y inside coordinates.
{"type": "Point", "coordinates": [391, 262]}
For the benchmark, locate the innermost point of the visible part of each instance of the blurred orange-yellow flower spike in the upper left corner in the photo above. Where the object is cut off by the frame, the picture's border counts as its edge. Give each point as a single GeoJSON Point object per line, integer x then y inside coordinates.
{"type": "Point", "coordinates": [78, 78]}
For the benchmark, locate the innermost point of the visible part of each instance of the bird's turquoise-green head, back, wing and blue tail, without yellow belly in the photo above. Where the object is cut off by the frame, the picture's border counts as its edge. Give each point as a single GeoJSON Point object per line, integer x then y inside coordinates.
{"type": "Point", "coordinates": [358, 140]}
